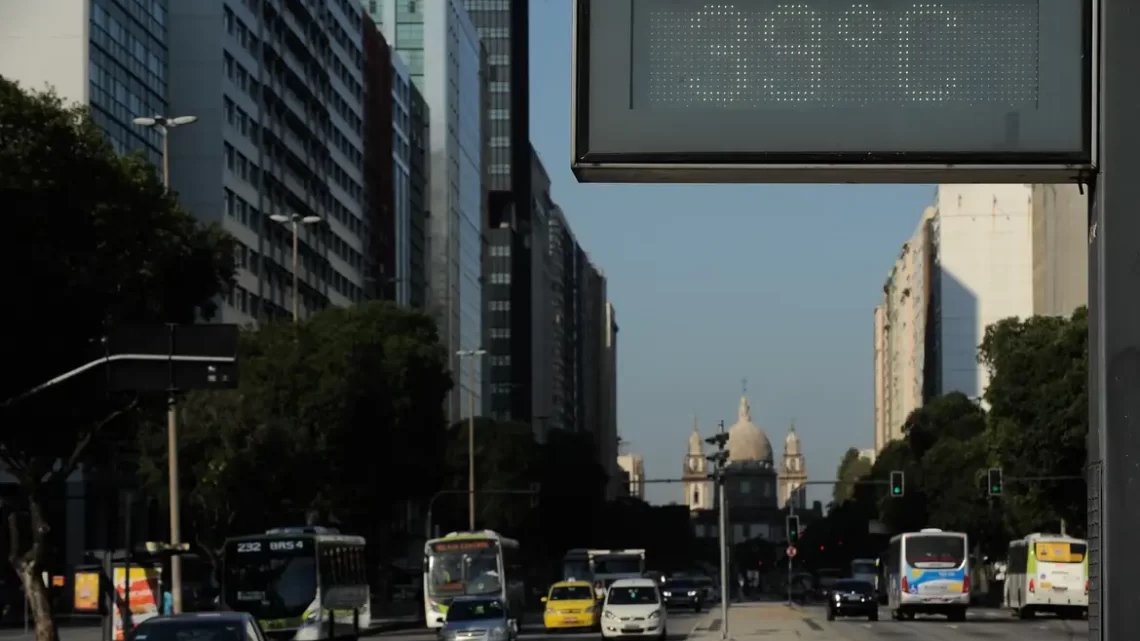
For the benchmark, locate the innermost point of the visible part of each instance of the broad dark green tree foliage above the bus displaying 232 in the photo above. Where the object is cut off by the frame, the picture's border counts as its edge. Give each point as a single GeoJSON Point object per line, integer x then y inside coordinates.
{"type": "Point", "coordinates": [333, 417]}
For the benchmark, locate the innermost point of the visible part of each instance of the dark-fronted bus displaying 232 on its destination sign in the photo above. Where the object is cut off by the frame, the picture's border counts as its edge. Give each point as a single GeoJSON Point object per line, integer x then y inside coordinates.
{"type": "Point", "coordinates": [304, 583]}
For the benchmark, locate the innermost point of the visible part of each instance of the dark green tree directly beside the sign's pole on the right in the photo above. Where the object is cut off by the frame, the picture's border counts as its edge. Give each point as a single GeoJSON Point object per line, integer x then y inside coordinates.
{"type": "Point", "coordinates": [1039, 417]}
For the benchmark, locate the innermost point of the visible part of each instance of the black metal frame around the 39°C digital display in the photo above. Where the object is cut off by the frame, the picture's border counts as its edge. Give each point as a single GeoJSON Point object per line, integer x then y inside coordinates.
{"type": "Point", "coordinates": [825, 168]}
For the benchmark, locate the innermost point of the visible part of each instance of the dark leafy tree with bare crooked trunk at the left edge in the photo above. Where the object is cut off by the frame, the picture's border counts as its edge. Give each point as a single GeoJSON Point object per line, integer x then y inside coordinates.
{"type": "Point", "coordinates": [96, 241]}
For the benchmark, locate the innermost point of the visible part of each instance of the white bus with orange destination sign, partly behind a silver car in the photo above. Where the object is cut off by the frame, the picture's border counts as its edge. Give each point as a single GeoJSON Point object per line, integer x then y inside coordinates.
{"type": "Point", "coordinates": [466, 564]}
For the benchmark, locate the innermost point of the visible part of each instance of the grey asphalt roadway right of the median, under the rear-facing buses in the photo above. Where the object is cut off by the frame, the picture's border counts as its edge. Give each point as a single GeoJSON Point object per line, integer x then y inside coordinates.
{"type": "Point", "coordinates": [982, 624]}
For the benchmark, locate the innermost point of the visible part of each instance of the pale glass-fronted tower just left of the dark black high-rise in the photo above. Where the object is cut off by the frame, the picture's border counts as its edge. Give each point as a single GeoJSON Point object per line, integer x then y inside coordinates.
{"type": "Point", "coordinates": [445, 59]}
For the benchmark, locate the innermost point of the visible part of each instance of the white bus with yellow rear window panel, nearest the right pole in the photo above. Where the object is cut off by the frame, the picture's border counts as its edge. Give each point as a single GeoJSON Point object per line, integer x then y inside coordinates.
{"type": "Point", "coordinates": [1048, 573]}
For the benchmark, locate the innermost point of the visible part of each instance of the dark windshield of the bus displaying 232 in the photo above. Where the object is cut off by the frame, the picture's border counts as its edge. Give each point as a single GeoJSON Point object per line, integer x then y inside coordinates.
{"type": "Point", "coordinates": [270, 585]}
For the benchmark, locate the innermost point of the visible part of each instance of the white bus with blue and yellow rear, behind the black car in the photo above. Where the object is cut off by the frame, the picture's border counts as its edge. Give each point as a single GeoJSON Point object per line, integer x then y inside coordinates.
{"type": "Point", "coordinates": [929, 572]}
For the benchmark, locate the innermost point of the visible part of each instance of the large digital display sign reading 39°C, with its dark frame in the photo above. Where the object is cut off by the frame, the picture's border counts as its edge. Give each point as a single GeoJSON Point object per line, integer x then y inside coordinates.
{"type": "Point", "coordinates": [833, 92]}
